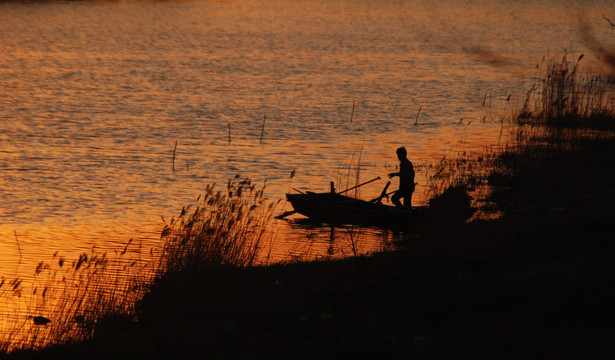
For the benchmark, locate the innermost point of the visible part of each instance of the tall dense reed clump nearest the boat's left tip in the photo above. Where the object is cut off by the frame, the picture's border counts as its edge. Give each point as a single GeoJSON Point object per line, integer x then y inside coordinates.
{"type": "Point", "coordinates": [225, 228]}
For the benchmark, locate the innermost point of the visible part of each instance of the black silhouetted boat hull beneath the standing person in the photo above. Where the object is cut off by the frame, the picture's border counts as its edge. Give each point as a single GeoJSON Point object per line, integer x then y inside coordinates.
{"type": "Point", "coordinates": [334, 208]}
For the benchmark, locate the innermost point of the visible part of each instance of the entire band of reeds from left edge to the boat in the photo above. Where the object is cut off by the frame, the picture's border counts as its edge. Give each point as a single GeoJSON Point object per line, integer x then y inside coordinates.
{"type": "Point", "coordinates": [69, 301]}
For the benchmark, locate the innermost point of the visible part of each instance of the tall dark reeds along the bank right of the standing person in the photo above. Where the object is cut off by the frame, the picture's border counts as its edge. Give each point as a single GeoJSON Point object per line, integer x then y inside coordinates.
{"type": "Point", "coordinates": [565, 104]}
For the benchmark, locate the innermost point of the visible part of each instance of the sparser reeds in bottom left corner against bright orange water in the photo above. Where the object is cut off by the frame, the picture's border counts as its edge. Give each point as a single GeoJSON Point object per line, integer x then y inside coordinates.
{"type": "Point", "coordinates": [68, 301]}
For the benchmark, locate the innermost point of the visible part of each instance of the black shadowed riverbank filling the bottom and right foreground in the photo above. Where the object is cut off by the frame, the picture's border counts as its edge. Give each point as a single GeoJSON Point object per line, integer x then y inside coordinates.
{"type": "Point", "coordinates": [537, 283]}
